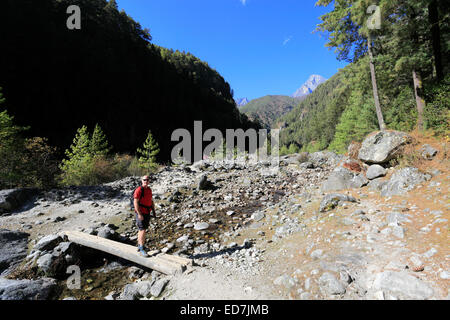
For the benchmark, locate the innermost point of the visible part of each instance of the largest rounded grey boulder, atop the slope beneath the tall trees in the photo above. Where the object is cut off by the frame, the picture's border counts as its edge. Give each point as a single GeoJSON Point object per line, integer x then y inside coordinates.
{"type": "Point", "coordinates": [382, 146]}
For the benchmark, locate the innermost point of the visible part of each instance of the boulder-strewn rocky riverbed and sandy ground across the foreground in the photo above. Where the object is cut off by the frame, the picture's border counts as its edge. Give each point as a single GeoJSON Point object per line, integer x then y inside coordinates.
{"type": "Point", "coordinates": [324, 226]}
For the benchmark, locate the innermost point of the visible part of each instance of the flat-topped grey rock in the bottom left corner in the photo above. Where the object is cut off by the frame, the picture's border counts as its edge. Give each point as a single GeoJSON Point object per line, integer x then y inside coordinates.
{"type": "Point", "coordinates": [26, 289]}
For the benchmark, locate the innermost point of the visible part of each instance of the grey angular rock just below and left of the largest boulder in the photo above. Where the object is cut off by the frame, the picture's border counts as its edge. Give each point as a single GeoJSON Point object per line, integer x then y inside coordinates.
{"type": "Point", "coordinates": [343, 178]}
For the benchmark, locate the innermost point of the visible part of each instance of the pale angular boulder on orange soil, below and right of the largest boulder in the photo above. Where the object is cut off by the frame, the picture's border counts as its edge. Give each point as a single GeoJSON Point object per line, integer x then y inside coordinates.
{"type": "Point", "coordinates": [403, 181]}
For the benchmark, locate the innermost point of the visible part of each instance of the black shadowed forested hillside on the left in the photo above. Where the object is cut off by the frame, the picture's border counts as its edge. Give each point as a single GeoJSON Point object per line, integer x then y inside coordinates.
{"type": "Point", "coordinates": [55, 80]}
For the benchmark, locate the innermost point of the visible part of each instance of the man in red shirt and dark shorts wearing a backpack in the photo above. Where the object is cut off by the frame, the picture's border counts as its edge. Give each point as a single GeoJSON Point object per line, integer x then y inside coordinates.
{"type": "Point", "coordinates": [143, 204]}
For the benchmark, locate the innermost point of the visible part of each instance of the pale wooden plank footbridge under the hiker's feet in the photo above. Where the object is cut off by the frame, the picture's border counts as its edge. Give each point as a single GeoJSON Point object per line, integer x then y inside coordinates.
{"type": "Point", "coordinates": [125, 251]}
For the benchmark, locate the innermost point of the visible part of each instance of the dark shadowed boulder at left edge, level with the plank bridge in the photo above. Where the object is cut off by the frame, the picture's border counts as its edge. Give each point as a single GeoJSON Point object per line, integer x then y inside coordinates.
{"type": "Point", "coordinates": [13, 249]}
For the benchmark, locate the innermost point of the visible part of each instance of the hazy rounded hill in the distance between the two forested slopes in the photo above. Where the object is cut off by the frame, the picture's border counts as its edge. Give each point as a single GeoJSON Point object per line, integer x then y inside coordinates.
{"type": "Point", "coordinates": [268, 109]}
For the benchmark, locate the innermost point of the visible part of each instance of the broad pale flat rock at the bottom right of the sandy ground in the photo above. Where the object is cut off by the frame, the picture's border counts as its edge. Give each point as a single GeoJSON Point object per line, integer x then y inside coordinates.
{"type": "Point", "coordinates": [401, 283]}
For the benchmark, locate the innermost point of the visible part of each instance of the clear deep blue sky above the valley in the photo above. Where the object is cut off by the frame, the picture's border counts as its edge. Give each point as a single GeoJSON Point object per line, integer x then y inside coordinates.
{"type": "Point", "coordinates": [260, 47]}
